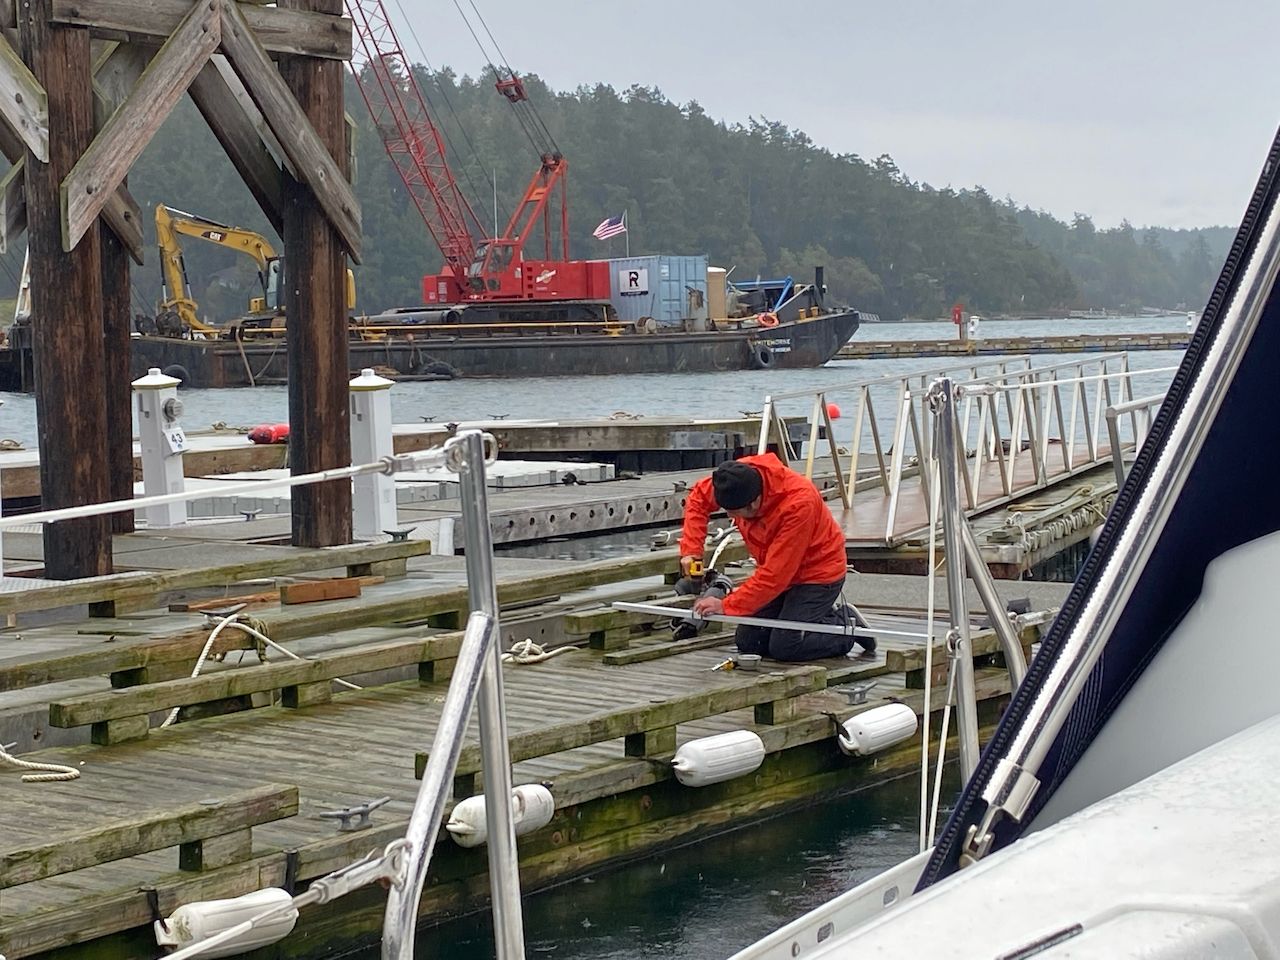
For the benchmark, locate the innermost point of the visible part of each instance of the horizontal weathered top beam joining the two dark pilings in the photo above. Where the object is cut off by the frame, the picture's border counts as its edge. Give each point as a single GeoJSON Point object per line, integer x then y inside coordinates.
{"type": "Point", "coordinates": [281, 31]}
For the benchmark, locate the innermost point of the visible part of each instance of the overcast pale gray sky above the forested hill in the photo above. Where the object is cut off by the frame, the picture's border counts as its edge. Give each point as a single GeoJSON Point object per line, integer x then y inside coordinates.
{"type": "Point", "coordinates": [1159, 113]}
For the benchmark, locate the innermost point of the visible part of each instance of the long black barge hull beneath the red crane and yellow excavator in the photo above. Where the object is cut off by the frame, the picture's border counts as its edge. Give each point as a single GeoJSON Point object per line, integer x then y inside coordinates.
{"type": "Point", "coordinates": [442, 354]}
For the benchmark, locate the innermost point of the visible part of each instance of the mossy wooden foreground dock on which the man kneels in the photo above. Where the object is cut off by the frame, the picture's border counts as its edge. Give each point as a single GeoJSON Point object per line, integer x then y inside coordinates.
{"type": "Point", "coordinates": [241, 796]}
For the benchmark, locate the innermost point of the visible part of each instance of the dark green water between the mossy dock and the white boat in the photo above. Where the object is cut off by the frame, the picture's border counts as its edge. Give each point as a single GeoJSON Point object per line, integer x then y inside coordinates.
{"type": "Point", "coordinates": [711, 899]}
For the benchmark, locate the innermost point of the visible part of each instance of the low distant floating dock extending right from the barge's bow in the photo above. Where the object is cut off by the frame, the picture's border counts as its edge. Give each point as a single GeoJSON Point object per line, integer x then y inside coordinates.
{"type": "Point", "coordinates": [999, 346]}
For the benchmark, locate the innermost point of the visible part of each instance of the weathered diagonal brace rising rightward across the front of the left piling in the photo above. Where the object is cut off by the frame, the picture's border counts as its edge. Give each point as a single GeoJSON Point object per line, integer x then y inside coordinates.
{"type": "Point", "coordinates": [107, 163]}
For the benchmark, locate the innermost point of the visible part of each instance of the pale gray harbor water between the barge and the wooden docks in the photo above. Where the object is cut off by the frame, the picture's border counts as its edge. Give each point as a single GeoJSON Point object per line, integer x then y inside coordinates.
{"type": "Point", "coordinates": [714, 395]}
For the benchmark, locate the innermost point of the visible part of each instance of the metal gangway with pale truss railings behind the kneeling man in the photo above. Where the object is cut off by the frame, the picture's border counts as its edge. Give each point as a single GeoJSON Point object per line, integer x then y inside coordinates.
{"type": "Point", "coordinates": [1021, 428]}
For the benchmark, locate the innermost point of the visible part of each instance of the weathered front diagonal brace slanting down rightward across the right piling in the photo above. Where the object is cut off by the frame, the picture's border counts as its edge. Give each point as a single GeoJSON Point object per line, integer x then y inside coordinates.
{"type": "Point", "coordinates": [298, 138]}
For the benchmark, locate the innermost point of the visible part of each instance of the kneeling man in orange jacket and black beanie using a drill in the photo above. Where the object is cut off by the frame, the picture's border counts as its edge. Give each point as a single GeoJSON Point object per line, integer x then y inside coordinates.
{"type": "Point", "coordinates": [799, 551]}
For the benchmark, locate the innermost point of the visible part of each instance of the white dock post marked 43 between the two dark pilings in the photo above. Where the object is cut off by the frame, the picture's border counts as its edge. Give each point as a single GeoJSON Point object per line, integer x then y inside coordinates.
{"type": "Point", "coordinates": [163, 444]}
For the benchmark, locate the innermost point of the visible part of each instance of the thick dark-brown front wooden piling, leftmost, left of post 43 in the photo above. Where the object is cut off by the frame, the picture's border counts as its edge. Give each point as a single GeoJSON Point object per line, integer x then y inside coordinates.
{"type": "Point", "coordinates": [67, 307]}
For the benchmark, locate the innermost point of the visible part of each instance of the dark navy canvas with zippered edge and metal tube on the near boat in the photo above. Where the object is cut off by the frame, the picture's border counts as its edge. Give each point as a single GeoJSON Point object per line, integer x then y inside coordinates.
{"type": "Point", "coordinates": [1222, 505]}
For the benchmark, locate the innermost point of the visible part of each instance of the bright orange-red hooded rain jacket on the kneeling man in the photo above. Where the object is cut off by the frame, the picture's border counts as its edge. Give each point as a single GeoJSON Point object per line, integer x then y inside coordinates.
{"type": "Point", "coordinates": [794, 540]}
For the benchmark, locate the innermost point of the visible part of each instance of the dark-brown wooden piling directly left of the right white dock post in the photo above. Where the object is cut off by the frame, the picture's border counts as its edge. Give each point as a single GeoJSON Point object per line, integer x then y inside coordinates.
{"type": "Point", "coordinates": [317, 310]}
